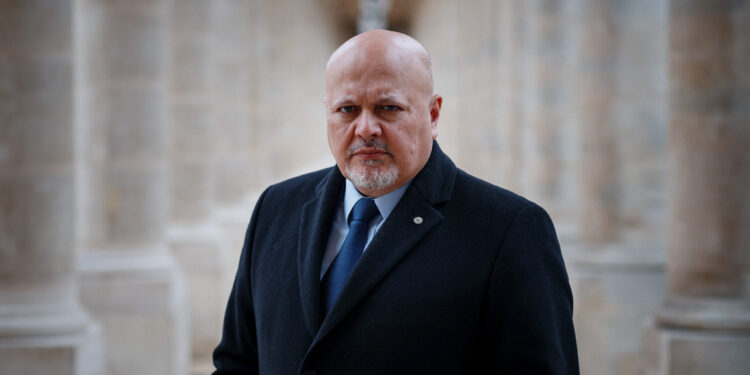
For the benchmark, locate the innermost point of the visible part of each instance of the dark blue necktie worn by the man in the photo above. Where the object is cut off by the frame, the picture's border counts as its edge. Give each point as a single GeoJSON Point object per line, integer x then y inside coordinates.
{"type": "Point", "coordinates": [354, 244]}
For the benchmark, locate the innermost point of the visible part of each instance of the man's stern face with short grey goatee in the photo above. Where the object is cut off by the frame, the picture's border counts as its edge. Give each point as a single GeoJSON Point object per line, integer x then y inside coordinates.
{"type": "Point", "coordinates": [382, 118]}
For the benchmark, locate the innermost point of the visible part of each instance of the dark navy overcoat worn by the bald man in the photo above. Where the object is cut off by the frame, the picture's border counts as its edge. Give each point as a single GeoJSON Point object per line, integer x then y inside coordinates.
{"type": "Point", "coordinates": [478, 287]}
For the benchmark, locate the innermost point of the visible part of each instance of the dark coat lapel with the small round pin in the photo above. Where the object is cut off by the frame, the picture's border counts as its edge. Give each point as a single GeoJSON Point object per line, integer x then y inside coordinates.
{"type": "Point", "coordinates": [398, 235]}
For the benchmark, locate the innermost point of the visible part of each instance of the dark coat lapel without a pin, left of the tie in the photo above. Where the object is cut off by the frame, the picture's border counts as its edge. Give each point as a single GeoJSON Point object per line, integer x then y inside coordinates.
{"type": "Point", "coordinates": [314, 226]}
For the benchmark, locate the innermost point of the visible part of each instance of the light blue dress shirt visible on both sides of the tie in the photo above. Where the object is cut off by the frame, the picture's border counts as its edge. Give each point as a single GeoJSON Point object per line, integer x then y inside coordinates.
{"type": "Point", "coordinates": [340, 228]}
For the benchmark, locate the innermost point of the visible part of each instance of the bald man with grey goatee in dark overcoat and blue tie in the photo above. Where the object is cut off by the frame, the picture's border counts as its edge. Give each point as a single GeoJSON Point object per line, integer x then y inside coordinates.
{"type": "Point", "coordinates": [394, 261]}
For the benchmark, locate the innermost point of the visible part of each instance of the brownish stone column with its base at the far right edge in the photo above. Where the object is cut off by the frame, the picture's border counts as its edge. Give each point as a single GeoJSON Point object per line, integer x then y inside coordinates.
{"type": "Point", "coordinates": [704, 325]}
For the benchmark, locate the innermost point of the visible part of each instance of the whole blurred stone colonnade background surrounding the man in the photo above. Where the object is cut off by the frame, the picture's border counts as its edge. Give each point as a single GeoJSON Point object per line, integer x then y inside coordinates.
{"type": "Point", "coordinates": [136, 134]}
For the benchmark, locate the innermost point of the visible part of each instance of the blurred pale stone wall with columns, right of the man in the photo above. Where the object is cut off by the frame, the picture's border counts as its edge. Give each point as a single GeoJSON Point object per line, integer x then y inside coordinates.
{"type": "Point", "coordinates": [571, 103]}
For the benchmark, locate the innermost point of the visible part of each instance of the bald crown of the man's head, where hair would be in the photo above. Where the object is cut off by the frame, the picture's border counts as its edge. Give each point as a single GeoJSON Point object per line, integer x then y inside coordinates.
{"type": "Point", "coordinates": [383, 51]}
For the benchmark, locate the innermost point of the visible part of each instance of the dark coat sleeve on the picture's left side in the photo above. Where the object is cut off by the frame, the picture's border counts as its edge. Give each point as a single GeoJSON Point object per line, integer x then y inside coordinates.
{"type": "Point", "coordinates": [237, 353]}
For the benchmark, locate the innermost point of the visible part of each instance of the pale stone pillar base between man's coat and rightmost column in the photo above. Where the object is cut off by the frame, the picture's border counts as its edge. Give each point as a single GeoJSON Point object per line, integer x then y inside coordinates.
{"type": "Point", "coordinates": [614, 290]}
